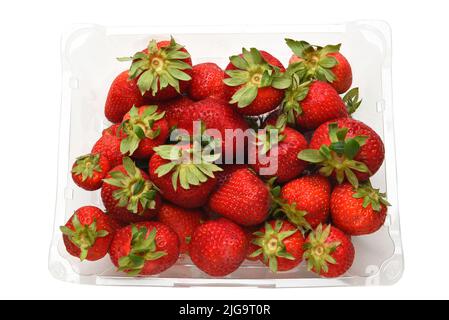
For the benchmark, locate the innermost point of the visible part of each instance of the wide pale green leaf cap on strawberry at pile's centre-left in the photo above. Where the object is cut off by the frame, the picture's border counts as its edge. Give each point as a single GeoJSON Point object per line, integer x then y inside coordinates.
{"type": "Point", "coordinates": [187, 164]}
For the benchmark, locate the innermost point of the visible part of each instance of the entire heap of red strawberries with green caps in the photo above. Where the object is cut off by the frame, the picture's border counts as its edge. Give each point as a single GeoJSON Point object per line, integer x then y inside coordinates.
{"type": "Point", "coordinates": [164, 196]}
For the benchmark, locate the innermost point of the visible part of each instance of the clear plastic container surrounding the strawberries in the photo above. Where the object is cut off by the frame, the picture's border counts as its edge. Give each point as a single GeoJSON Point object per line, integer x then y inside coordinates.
{"type": "Point", "coordinates": [89, 66]}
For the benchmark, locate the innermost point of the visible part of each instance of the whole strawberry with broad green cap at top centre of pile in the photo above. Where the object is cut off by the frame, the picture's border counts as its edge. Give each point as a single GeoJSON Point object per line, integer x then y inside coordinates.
{"type": "Point", "coordinates": [254, 82]}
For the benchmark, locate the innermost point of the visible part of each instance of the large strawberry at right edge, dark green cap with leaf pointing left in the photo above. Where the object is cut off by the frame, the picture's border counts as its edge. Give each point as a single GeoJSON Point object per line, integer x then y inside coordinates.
{"type": "Point", "coordinates": [345, 148]}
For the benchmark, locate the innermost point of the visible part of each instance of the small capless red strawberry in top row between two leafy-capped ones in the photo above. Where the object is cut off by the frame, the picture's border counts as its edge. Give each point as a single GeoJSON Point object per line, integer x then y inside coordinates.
{"type": "Point", "coordinates": [207, 81]}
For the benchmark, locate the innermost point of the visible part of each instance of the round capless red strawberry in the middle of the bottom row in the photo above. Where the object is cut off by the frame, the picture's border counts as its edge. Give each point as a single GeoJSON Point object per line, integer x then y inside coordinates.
{"type": "Point", "coordinates": [218, 247]}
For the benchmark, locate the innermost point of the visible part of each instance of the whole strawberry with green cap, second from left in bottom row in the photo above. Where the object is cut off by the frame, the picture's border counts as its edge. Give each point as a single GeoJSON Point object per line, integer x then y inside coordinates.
{"type": "Point", "coordinates": [146, 248]}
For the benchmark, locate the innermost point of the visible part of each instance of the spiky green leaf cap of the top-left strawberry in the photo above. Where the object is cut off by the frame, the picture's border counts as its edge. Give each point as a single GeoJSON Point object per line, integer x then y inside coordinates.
{"type": "Point", "coordinates": [159, 68]}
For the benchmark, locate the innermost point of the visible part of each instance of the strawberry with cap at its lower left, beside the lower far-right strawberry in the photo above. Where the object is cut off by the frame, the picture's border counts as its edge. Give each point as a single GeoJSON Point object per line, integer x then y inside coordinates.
{"type": "Point", "coordinates": [305, 201]}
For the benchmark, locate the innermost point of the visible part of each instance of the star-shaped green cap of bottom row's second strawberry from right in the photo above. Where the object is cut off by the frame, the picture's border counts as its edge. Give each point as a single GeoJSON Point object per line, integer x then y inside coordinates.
{"type": "Point", "coordinates": [272, 245]}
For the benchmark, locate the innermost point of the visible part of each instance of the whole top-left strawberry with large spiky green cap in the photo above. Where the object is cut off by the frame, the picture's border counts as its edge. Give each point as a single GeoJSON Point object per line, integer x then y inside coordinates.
{"type": "Point", "coordinates": [162, 70]}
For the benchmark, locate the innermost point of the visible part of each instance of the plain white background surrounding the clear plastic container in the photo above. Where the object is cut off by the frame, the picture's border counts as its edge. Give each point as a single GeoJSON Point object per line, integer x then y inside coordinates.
{"type": "Point", "coordinates": [29, 104]}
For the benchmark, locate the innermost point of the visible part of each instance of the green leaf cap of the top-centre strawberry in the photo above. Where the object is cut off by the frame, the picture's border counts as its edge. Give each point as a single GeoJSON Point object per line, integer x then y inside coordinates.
{"type": "Point", "coordinates": [253, 72]}
